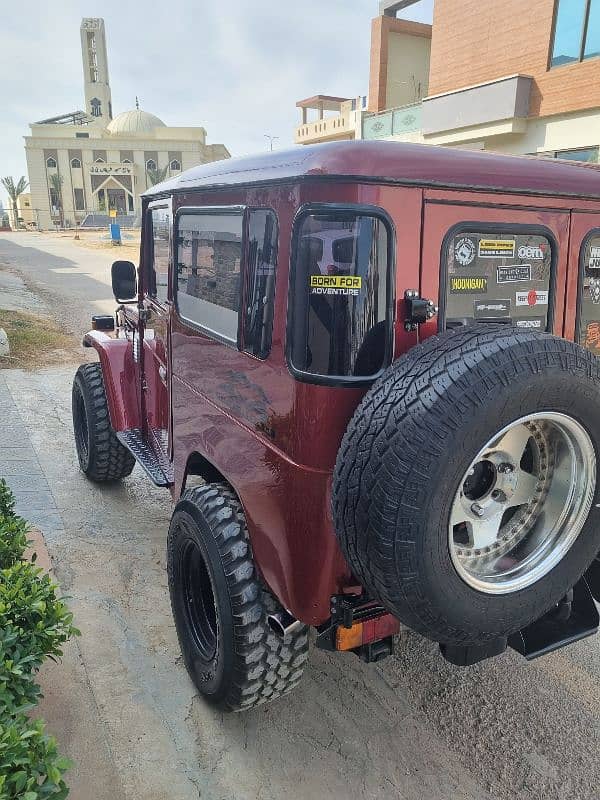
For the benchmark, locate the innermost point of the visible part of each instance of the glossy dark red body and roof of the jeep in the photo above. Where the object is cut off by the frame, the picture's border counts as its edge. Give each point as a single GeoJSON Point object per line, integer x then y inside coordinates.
{"type": "Point", "coordinates": [205, 407]}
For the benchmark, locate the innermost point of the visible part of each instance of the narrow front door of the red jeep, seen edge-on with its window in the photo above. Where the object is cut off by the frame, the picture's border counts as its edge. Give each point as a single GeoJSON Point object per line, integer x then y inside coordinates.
{"type": "Point", "coordinates": [156, 313]}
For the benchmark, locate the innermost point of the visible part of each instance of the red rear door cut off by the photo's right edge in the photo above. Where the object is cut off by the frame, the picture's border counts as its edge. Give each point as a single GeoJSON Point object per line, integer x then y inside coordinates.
{"type": "Point", "coordinates": [582, 319]}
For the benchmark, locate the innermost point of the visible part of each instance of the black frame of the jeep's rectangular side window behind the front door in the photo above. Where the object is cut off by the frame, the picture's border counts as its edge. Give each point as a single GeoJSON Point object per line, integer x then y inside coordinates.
{"type": "Point", "coordinates": [235, 210]}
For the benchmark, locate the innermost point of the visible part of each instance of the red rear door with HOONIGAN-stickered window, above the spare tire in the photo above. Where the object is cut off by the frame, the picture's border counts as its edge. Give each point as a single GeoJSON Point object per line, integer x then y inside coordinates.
{"type": "Point", "coordinates": [494, 263]}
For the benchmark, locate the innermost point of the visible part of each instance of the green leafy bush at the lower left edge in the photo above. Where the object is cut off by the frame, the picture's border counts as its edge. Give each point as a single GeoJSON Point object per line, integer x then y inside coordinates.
{"type": "Point", "coordinates": [34, 623]}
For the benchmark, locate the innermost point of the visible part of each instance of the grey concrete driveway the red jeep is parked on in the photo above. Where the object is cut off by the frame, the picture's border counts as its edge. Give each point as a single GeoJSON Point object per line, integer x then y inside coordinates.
{"type": "Point", "coordinates": [412, 727]}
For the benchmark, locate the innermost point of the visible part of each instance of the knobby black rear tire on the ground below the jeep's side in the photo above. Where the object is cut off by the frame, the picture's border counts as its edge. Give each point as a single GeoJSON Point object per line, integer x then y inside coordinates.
{"type": "Point", "coordinates": [251, 663]}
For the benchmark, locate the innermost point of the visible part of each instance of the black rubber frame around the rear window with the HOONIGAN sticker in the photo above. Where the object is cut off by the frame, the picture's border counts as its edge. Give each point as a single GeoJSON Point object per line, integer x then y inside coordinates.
{"type": "Point", "coordinates": [502, 228]}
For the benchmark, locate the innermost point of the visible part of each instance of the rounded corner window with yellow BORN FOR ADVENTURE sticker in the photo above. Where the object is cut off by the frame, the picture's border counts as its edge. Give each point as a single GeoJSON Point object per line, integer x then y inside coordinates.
{"type": "Point", "coordinates": [339, 326]}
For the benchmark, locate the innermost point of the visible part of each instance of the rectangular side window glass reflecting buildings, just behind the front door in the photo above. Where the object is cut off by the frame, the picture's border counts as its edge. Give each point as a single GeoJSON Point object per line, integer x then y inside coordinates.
{"type": "Point", "coordinates": [209, 252]}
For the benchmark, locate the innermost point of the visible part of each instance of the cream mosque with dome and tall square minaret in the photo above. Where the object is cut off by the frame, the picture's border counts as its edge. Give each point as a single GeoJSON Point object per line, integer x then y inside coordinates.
{"type": "Point", "coordinates": [103, 162]}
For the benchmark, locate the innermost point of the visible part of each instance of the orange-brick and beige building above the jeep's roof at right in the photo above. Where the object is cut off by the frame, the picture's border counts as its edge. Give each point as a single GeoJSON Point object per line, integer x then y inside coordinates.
{"type": "Point", "coordinates": [473, 80]}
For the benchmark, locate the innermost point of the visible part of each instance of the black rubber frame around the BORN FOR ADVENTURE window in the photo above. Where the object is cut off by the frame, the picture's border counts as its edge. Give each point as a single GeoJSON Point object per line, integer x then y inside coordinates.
{"type": "Point", "coordinates": [353, 209]}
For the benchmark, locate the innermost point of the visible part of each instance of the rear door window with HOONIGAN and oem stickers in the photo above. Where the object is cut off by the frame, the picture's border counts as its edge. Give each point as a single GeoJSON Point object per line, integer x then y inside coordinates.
{"type": "Point", "coordinates": [496, 276]}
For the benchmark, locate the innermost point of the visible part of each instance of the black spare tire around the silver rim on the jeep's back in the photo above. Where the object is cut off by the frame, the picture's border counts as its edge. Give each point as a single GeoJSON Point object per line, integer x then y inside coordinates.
{"type": "Point", "coordinates": [406, 448]}
